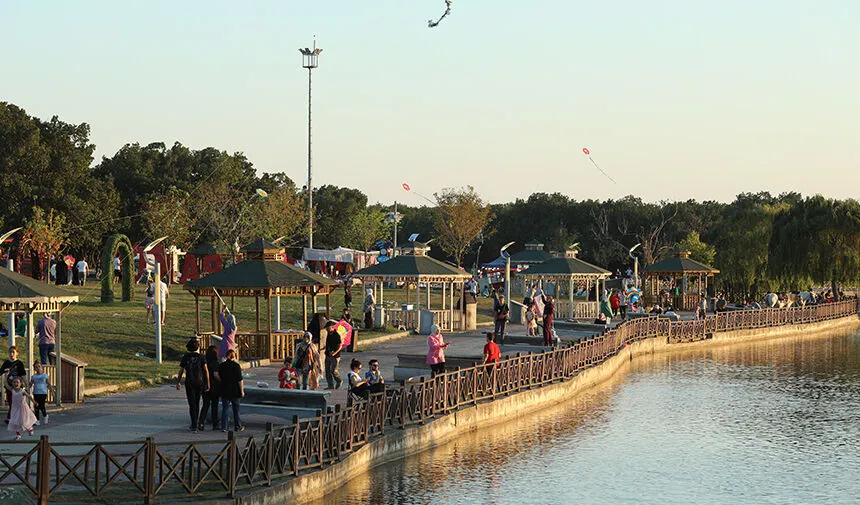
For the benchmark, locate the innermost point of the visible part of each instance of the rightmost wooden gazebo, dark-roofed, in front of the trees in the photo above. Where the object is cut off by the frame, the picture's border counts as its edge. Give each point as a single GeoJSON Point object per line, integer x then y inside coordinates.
{"type": "Point", "coordinates": [678, 280]}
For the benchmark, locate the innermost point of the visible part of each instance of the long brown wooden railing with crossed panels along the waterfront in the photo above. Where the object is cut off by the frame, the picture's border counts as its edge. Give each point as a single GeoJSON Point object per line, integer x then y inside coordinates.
{"type": "Point", "coordinates": [123, 471]}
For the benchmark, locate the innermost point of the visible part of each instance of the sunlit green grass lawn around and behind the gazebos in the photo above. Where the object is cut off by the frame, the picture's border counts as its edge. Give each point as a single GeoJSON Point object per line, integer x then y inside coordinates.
{"type": "Point", "coordinates": [108, 336]}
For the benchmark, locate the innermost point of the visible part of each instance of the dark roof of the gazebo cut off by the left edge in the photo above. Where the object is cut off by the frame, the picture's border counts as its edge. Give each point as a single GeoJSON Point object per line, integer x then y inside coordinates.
{"type": "Point", "coordinates": [18, 291]}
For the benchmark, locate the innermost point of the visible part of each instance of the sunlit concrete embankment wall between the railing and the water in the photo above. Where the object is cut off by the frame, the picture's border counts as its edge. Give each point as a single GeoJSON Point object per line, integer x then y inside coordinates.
{"type": "Point", "coordinates": [398, 444]}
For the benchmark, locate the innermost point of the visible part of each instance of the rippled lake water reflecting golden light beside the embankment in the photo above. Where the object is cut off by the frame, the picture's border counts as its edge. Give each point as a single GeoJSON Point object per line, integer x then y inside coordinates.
{"type": "Point", "coordinates": [769, 423]}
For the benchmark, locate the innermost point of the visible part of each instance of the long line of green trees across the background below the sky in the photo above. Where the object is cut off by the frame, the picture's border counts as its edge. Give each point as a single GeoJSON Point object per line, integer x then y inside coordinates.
{"type": "Point", "coordinates": [65, 201]}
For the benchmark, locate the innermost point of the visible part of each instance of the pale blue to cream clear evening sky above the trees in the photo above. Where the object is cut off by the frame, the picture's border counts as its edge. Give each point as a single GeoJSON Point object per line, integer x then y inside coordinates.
{"type": "Point", "coordinates": [675, 99]}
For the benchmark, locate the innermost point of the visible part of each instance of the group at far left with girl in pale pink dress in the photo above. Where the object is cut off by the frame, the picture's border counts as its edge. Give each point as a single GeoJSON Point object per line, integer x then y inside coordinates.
{"type": "Point", "coordinates": [22, 417]}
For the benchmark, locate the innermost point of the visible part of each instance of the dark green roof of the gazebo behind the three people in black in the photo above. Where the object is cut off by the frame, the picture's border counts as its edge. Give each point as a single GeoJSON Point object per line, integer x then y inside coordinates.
{"type": "Point", "coordinates": [248, 278]}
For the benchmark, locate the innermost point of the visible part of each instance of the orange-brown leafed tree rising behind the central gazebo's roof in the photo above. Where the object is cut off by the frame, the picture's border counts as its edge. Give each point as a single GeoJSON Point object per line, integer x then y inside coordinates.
{"type": "Point", "coordinates": [460, 217]}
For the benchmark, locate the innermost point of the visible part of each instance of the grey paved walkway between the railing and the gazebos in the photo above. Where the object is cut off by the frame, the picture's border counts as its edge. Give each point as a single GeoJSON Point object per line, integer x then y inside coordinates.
{"type": "Point", "coordinates": [162, 412]}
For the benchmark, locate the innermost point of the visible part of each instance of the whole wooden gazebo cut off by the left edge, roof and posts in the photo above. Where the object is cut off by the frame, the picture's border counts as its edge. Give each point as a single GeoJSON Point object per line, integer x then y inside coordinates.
{"type": "Point", "coordinates": [19, 293]}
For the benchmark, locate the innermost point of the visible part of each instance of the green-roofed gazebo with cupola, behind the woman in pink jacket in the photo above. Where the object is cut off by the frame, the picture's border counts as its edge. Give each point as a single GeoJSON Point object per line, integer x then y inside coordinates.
{"type": "Point", "coordinates": [413, 266]}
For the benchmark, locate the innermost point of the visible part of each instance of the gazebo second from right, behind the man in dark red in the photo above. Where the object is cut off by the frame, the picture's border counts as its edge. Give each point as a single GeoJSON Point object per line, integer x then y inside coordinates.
{"type": "Point", "coordinates": [567, 269]}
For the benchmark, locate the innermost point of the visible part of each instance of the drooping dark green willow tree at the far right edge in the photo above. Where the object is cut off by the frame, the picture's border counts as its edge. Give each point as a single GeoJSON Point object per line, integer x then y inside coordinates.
{"type": "Point", "coordinates": [817, 238]}
